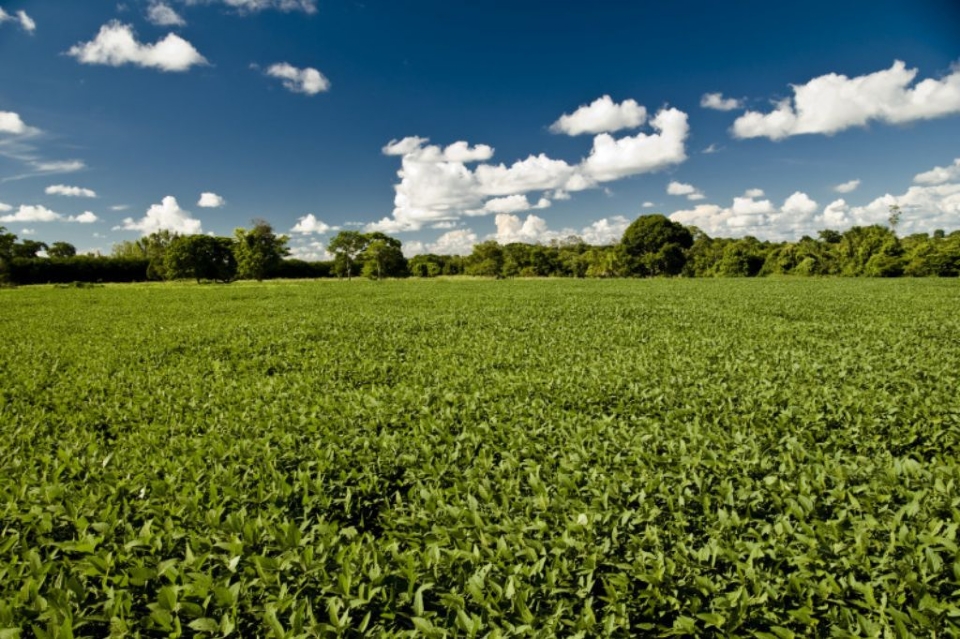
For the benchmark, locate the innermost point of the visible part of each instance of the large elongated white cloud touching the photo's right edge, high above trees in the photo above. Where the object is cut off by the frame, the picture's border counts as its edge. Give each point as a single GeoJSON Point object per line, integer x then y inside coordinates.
{"type": "Point", "coordinates": [832, 102]}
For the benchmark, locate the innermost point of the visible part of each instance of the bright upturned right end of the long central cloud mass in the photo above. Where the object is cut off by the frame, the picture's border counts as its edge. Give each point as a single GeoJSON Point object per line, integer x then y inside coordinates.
{"type": "Point", "coordinates": [612, 159]}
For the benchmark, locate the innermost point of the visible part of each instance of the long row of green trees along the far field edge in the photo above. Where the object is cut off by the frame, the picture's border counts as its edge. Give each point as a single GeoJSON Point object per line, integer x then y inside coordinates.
{"type": "Point", "coordinates": [651, 246]}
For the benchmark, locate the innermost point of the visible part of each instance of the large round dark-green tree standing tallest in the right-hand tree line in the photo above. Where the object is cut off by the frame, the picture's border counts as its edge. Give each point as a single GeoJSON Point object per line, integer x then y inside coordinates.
{"type": "Point", "coordinates": [655, 245]}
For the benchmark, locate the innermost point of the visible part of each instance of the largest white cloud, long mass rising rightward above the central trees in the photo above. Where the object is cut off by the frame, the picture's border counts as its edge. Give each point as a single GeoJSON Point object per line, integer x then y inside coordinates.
{"type": "Point", "coordinates": [437, 185]}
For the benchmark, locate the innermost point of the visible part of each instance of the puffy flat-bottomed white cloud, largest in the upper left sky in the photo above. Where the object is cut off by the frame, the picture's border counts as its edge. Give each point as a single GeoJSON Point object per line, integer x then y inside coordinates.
{"type": "Point", "coordinates": [116, 45]}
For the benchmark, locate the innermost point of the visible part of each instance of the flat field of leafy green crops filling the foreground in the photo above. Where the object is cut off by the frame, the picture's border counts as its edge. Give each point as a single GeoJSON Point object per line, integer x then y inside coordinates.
{"type": "Point", "coordinates": [730, 458]}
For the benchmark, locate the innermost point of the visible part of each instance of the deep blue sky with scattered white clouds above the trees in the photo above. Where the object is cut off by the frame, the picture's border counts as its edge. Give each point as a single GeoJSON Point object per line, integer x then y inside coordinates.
{"type": "Point", "coordinates": [444, 124]}
